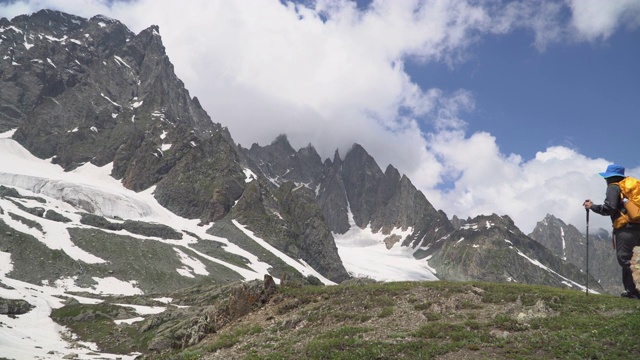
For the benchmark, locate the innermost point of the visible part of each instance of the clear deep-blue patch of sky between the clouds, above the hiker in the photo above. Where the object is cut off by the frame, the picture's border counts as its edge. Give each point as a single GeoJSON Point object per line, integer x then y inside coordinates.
{"type": "Point", "coordinates": [579, 95]}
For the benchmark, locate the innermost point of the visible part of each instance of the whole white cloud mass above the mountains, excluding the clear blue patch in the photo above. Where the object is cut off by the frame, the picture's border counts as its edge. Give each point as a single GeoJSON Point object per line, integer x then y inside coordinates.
{"type": "Point", "coordinates": [331, 74]}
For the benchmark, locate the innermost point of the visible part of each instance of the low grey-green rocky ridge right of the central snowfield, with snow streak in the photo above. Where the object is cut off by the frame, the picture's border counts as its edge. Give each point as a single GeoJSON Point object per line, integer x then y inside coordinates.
{"type": "Point", "coordinates": [492, 248]}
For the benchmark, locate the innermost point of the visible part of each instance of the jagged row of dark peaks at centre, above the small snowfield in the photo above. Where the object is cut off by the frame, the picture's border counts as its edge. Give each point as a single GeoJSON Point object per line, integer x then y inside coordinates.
{"type": "Point", "coordinates": [357, 184]}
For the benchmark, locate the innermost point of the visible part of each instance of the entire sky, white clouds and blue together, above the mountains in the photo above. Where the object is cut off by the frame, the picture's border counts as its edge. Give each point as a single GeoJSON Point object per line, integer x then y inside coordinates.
{"type": "Point", "coordinates": [488, 106]}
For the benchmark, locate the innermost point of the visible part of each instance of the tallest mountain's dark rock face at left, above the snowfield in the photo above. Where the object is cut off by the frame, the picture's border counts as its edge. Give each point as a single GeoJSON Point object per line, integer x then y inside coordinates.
{"type": "Point", "coordinates": [83, 90]}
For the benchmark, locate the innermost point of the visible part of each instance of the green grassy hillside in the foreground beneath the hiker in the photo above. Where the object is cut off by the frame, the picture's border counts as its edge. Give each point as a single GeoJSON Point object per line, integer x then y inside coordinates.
{"type": "Point", "coordinates": [443, 320]}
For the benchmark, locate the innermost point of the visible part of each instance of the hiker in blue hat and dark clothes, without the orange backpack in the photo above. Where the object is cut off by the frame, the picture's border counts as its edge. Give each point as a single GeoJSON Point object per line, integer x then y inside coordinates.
{"type": "Point", "coordinates": [626, 234]}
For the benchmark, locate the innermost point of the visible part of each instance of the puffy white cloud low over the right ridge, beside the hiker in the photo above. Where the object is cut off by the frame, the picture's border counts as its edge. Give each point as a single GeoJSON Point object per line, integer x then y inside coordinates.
{"type": "Point", "coordinates": [556, 181]}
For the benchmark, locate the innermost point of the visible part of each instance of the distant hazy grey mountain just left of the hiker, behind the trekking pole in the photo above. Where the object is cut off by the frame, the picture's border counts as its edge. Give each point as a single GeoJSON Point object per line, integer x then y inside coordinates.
{"type": "Point", "coordinates": [567, 242]}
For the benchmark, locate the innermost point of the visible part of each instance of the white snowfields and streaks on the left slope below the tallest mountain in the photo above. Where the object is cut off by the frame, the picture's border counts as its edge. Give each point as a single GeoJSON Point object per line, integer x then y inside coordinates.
{"type": "Point", "coordinates": [90, 189]}
